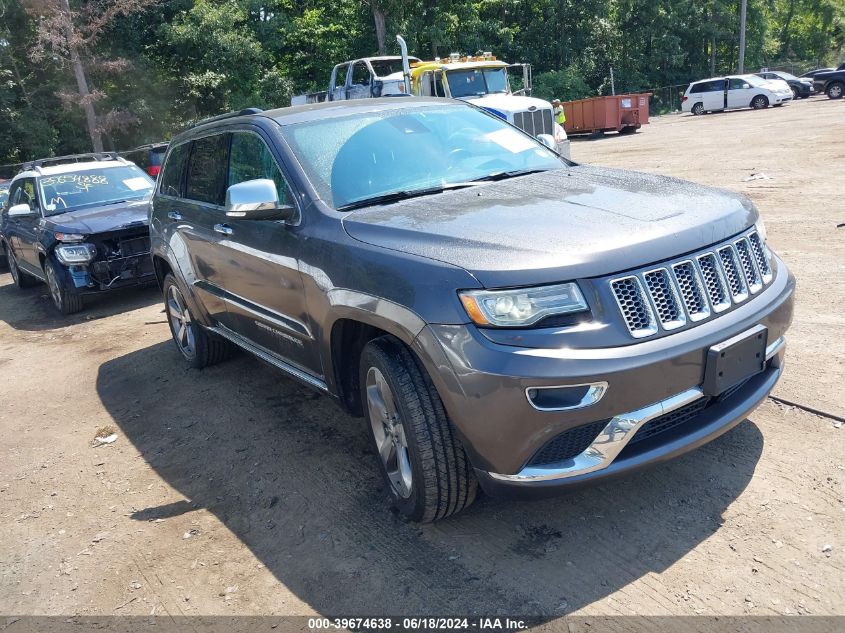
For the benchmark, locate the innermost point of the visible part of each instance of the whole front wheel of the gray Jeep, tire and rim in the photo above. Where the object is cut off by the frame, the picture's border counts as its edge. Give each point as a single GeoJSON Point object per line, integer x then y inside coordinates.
{"type": "Point", "coordinates": [423, 464]}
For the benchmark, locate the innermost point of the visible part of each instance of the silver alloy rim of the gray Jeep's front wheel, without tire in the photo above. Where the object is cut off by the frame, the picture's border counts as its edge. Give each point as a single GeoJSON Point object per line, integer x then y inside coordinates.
{"type": "Point", "coordinates": [389, 433]}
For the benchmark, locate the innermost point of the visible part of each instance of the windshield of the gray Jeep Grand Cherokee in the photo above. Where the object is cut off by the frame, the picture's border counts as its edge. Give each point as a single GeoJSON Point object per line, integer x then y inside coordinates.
{"type": "Point", "coordinates": [355, 158]}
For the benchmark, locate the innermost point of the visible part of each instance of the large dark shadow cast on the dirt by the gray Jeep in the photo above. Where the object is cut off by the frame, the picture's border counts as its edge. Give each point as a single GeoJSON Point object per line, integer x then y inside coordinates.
{"type": "Point", "coordinates": [295, 480]}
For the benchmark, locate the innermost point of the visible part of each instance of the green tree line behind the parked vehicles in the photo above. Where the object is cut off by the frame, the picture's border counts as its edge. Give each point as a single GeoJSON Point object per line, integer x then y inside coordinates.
{"type": "Point", "coordinates": [112, 74]}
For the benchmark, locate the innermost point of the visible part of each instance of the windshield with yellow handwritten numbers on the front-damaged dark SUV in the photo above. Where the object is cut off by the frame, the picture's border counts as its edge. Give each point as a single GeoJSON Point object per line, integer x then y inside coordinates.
{"type": "Point", "coordinates": [92, 187]}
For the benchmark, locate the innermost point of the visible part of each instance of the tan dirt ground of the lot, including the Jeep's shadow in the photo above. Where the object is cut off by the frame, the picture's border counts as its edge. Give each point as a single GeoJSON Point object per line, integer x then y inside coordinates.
{"type": "Point", "coordinates": [235, 491]}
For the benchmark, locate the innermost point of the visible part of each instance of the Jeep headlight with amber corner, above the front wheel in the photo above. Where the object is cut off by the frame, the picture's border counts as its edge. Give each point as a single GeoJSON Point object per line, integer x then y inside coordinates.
{"type": "Point", "coordinates": [521, 306]}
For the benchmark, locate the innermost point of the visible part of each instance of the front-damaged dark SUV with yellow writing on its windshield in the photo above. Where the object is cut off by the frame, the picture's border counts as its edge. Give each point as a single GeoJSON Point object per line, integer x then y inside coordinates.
{"type": "Point", "coordinates": [78, 223]}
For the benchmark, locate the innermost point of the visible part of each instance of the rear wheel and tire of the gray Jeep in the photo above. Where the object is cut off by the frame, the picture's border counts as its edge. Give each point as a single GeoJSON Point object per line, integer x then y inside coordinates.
{"type": "Point", "coordinates": [199, 347]}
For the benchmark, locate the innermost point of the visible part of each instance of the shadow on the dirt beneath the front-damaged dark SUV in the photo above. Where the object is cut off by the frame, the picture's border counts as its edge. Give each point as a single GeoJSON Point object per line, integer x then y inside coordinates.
{"type": "Point", "coordinates": [31, 309]}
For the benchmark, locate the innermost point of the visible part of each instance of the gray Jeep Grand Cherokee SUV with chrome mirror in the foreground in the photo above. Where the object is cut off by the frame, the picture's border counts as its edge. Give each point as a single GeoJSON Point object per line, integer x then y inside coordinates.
{"type": "Point", "coordinates": [499, 315]}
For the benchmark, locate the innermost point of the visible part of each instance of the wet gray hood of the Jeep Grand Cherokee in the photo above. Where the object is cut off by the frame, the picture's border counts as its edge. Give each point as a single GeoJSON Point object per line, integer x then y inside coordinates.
{"type": "Point", "coordinates": [564, 224]}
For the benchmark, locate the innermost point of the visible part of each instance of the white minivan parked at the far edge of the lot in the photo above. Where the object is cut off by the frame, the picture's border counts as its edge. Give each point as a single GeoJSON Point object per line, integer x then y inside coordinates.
{"type": "Point", "coordinates": [734, 91]}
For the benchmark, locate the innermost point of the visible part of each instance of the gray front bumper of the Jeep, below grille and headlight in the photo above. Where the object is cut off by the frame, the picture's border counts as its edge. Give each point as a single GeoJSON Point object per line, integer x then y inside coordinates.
{"type": "Point", "coordinates": [483, 387]}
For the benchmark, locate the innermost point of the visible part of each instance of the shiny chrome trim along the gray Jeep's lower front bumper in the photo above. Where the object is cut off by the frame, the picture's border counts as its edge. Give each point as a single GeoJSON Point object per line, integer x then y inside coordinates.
{"type": "Point", "coordinates": [615, 436]}
